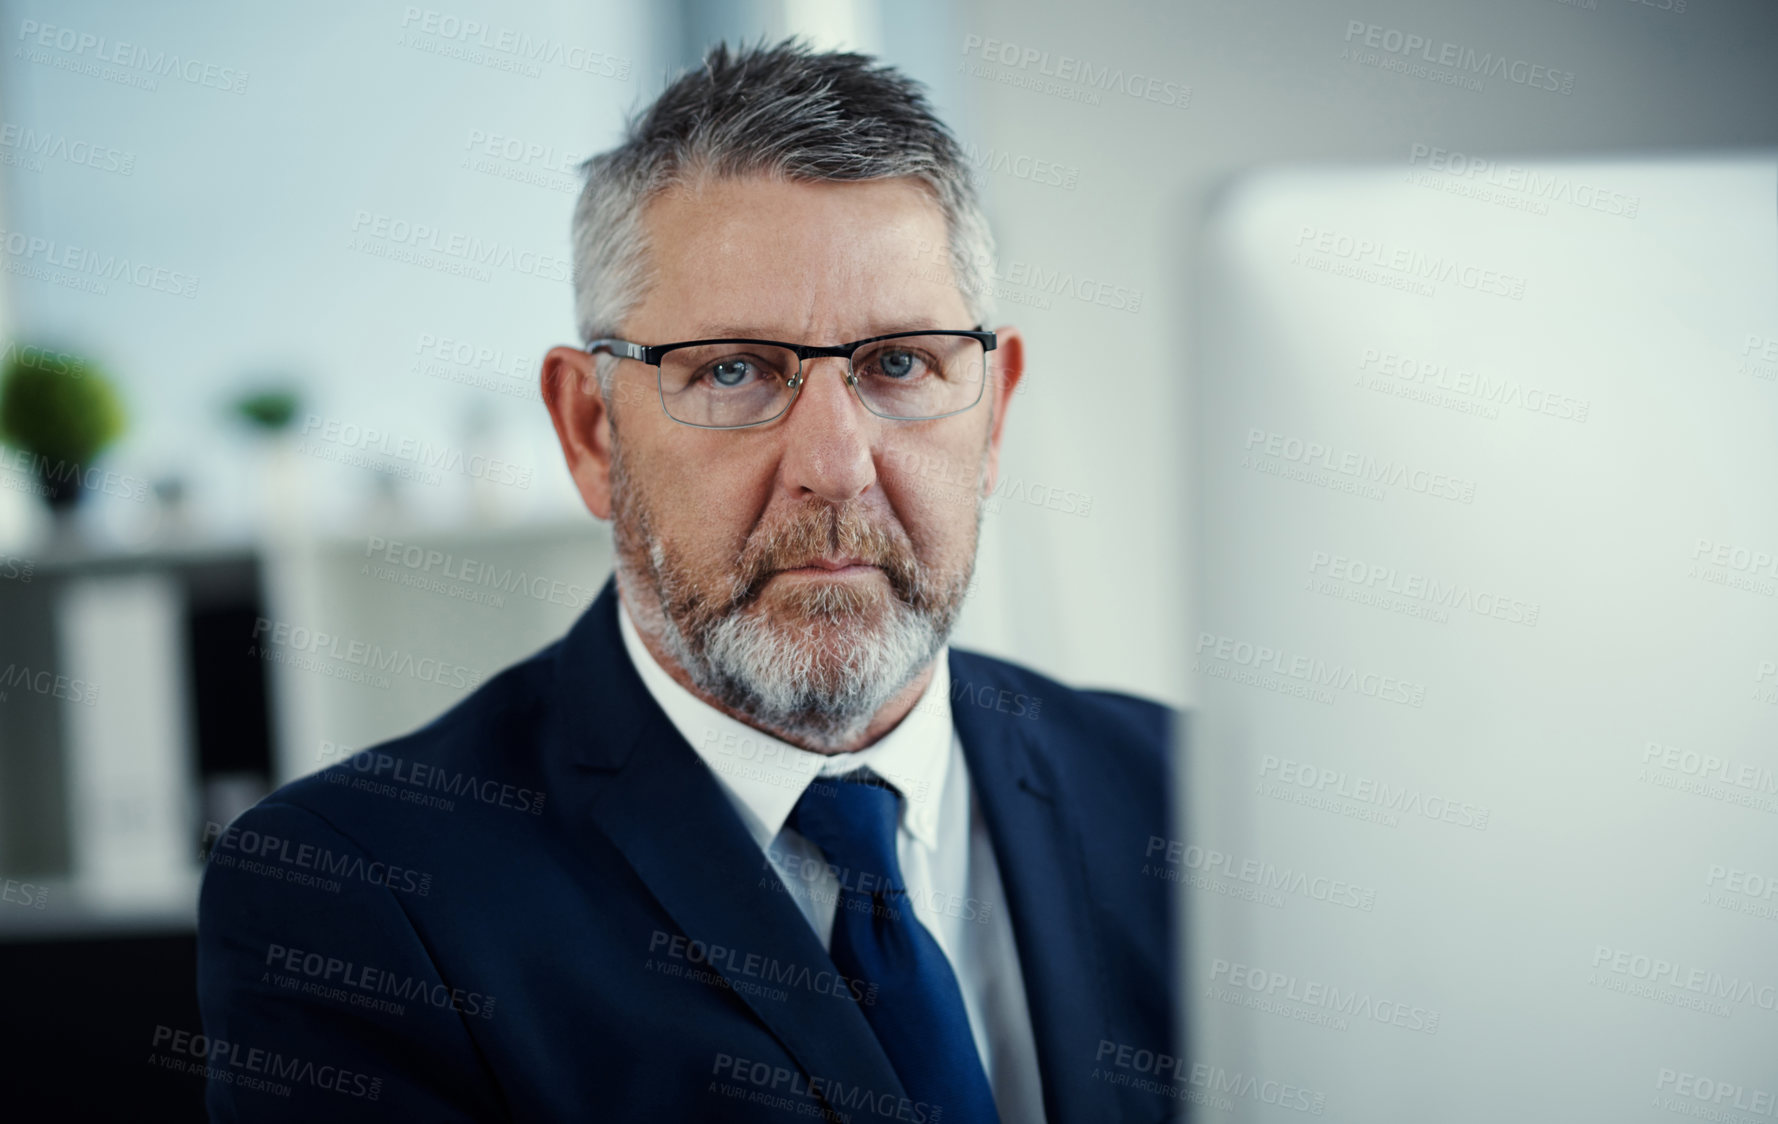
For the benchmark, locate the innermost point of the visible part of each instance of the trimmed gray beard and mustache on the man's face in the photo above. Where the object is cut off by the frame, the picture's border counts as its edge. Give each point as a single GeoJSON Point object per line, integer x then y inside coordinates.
{"type": "Point", "coordinates": [817, 680]}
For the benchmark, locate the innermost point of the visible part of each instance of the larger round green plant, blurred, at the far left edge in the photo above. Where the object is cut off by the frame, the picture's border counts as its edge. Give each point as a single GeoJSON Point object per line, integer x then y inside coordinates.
{"type": "Point", "coordinates": [60, 408]}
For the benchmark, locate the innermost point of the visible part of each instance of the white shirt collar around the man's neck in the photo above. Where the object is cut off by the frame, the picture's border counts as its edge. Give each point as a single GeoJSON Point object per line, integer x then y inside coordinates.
{"type": "Point", "coordinates": [765, 776]}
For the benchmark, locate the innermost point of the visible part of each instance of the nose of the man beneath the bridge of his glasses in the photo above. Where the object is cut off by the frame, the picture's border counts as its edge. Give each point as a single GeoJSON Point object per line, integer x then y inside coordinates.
{"type": "Point", "coordinates": [828, 437]}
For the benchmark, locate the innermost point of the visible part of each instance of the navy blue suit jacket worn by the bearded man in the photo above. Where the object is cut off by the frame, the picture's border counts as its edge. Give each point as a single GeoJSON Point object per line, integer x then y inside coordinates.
{"type": "Point", "coordinates": [545, 908]}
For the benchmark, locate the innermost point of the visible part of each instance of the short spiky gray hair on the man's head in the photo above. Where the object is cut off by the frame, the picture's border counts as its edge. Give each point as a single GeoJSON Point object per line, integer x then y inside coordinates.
{"type": "Point", "coordinates": [773, 111]}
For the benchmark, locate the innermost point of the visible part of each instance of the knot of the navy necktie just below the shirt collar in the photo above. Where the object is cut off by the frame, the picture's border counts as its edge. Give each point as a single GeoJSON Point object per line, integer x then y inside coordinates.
{"type": "Point", "coordinates": [853, 819]}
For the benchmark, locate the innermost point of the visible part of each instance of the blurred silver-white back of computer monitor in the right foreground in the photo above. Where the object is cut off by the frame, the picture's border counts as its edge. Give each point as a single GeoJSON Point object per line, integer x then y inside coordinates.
{"type": "Point", "coordinates": [1482, 801]}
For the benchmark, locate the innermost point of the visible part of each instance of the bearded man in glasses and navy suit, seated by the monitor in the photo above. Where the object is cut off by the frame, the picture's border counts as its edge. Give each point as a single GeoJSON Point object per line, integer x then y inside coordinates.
{"type": "Point", "coordinates": [760, 844]}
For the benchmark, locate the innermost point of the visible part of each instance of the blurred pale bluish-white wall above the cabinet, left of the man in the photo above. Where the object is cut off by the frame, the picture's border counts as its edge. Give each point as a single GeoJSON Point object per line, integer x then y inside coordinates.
{"type": "Point", "coordinates": [314, 189]}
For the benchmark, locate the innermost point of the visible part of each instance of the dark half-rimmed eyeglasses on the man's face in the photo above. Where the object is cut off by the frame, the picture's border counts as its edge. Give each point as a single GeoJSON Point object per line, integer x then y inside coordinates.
{"type": "Point", "coordinates": [739, 383]}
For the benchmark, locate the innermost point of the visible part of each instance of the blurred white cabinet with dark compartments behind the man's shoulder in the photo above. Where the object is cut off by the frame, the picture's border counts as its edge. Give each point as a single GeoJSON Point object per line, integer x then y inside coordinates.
{"type": "Point", "coordinates": [113, 760]}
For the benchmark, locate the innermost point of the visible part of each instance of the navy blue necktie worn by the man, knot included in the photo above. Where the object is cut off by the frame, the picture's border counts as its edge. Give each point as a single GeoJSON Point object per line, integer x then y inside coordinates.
{"type": "Point", "coordinates": [918, 1015]}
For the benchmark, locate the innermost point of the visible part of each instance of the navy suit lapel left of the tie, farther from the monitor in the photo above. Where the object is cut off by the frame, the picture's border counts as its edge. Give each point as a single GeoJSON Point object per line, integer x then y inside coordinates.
{"type": "Point", "coordinates": [650, 794]}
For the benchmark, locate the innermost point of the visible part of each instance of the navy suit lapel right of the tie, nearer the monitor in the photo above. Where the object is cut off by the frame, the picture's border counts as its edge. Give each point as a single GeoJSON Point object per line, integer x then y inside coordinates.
{"type": "Point", "coordinates": [1043, 871]}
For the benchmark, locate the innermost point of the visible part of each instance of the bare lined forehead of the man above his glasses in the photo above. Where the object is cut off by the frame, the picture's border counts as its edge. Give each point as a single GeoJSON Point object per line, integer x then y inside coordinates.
{"type": "Point", "coordinates": [787, 257]}
